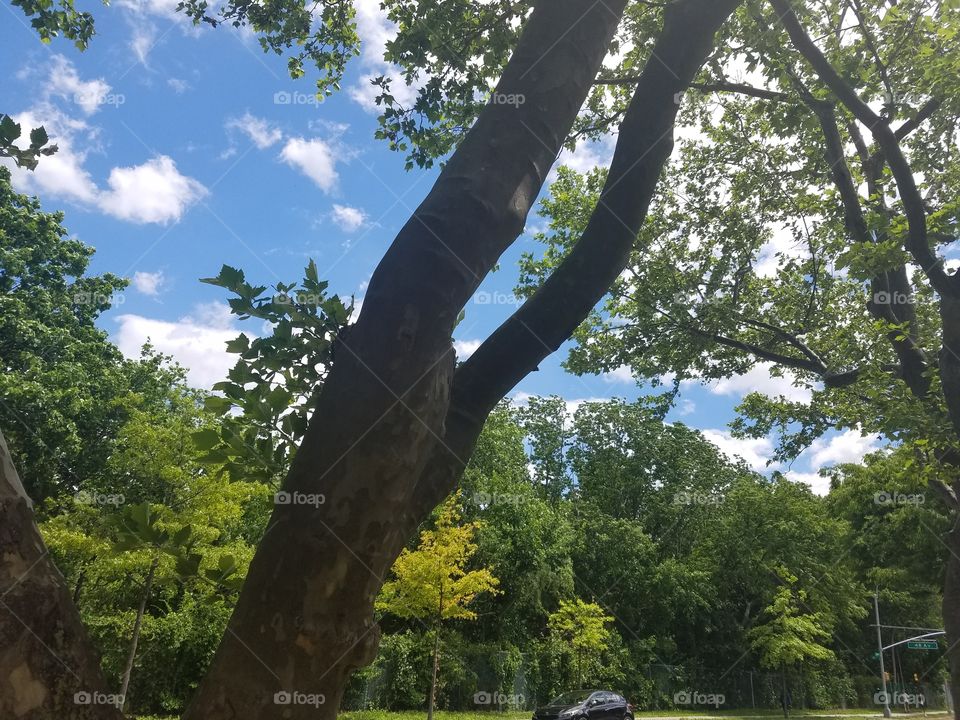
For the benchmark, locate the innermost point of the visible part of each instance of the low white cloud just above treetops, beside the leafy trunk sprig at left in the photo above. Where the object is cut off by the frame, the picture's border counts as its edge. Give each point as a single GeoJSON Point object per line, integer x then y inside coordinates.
{"type": "Point", "coordinates": [196, 341]}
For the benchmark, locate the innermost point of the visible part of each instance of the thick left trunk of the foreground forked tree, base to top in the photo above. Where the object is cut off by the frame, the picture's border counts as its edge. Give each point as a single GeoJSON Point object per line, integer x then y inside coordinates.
{"type": "Point", "coordinates": [304, 619]}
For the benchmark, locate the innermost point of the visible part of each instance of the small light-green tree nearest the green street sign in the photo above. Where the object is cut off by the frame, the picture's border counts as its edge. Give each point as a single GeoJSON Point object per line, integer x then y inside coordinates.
{"type": "Point", "coordinates": [789, 638]}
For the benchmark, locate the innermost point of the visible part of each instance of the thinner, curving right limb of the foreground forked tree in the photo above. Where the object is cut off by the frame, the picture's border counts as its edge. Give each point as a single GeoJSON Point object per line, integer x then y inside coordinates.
{"type": "Point", "coordinates": [542, 324]}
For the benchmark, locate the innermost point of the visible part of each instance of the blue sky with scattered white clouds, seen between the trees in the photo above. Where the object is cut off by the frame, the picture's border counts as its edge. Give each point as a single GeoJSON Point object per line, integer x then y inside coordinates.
{"type": "Point", "coordinates": [185, 148]}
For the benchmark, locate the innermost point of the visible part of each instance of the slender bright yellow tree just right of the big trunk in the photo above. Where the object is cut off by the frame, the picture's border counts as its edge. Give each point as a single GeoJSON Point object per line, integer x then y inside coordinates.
{"type": "Point", "coordinates": [432, 583]}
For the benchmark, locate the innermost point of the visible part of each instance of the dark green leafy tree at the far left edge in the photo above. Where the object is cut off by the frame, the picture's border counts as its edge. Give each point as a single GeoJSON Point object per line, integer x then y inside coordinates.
{"type": "Point", "coordinates": [63, 382]}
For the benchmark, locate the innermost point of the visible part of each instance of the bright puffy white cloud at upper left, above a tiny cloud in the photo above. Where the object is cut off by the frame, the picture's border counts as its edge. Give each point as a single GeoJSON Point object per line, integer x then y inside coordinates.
{"type": "Point", "coordinates": [153, 192]}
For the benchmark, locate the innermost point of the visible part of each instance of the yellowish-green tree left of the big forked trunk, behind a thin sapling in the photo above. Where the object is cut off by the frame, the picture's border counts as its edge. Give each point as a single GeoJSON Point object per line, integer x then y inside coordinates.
{"type": "Point", "coordinates": [154, 540]}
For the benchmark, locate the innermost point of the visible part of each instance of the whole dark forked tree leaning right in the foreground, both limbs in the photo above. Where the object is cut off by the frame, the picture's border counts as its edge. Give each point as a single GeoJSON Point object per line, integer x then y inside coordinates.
{"type": "Point", "coordinates": [396, 419]}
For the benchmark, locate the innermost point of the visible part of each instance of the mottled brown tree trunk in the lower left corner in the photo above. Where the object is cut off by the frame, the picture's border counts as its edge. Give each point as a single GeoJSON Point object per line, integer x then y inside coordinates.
{"type": "Point", "coordinates": [48, 668]}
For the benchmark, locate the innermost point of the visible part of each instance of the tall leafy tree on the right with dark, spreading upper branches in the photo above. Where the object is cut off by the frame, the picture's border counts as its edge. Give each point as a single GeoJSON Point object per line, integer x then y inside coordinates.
{"type": "Point", "coordinates": [806, 230]}
